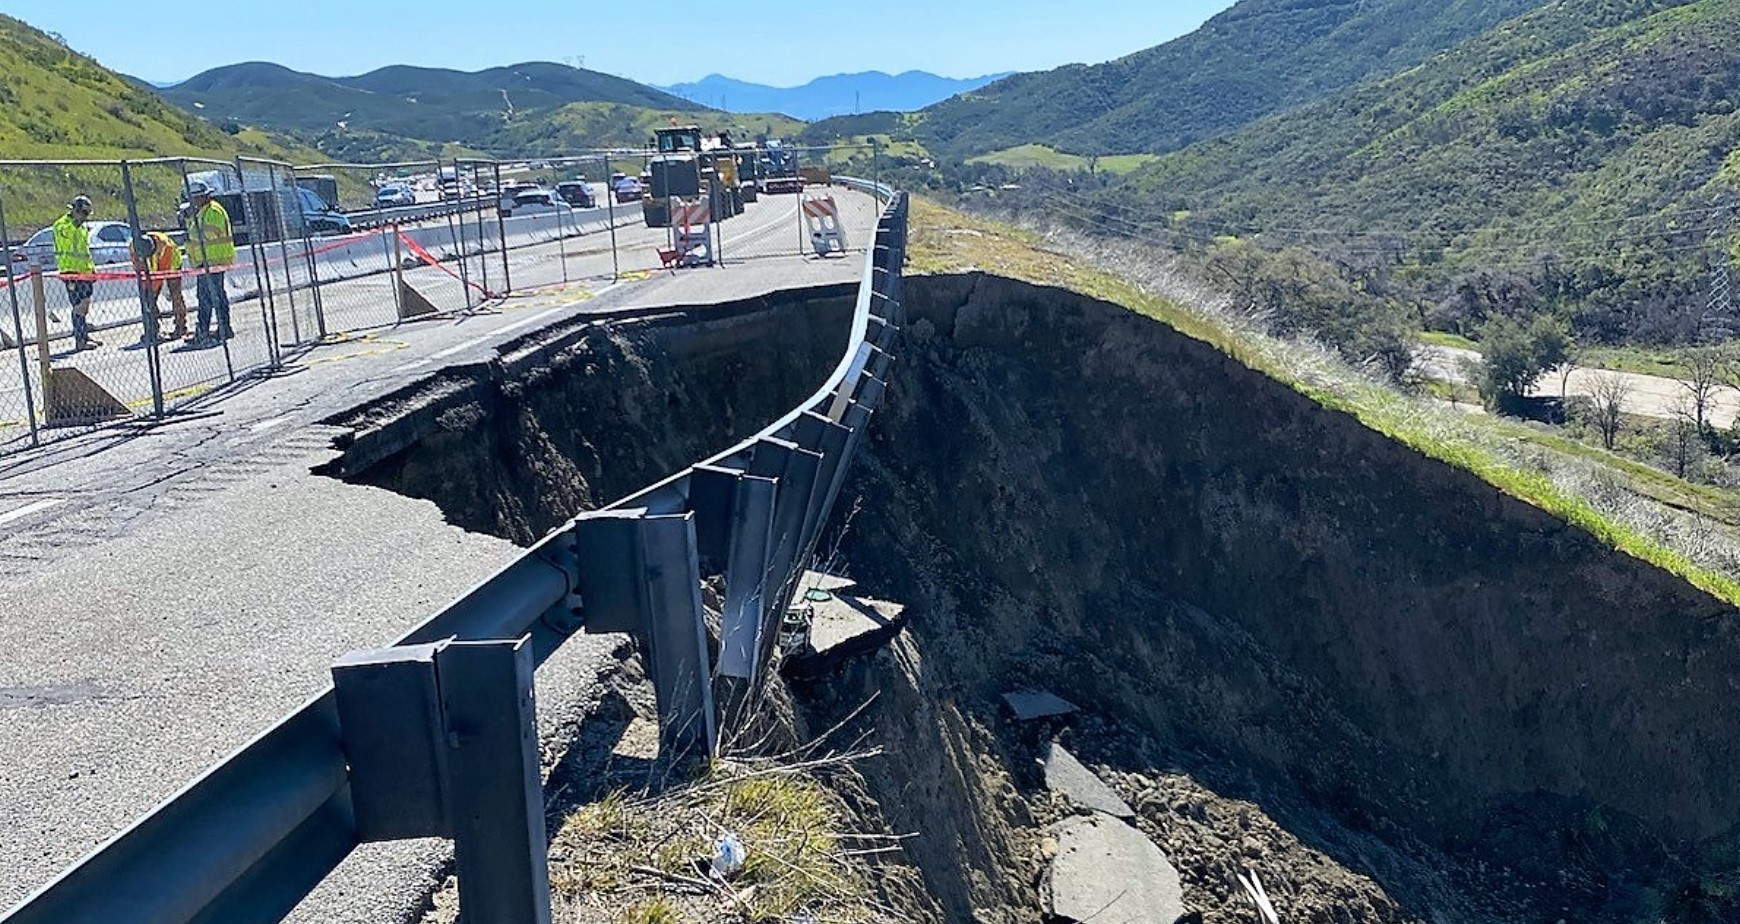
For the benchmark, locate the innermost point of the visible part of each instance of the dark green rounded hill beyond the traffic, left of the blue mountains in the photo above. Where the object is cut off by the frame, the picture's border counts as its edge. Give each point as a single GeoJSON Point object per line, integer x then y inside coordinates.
{"type": "Point", "coordinates": [412, 112]}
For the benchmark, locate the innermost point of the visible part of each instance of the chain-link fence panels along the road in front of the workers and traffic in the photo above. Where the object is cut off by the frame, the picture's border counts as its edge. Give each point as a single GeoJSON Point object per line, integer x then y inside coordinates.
{"type": "Point", "coordinates": [149, 297]}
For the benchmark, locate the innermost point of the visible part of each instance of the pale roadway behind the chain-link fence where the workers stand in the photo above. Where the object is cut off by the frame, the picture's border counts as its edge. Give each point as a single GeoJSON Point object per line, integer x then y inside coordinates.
{"type": "Point", "coordinates": [544, 251]}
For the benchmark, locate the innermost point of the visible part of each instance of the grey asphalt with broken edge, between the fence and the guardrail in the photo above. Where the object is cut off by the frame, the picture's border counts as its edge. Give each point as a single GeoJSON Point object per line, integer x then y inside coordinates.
{"type": "Point", "coordinates": [171, 591]}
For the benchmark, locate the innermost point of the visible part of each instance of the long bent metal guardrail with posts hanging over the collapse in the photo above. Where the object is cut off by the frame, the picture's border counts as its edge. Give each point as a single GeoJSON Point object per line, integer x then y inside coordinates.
{"type": "Point", "coordinates": [436, 735]}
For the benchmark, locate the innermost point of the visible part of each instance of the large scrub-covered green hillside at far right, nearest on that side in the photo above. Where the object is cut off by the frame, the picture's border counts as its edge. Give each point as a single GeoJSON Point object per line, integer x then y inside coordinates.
{"type": "Point", "coordinates": [1569, 161]}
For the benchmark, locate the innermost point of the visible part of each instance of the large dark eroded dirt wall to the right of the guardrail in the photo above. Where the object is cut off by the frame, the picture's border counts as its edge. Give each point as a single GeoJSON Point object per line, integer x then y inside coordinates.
{"type": "Point", "coordinates": [1421, 678]}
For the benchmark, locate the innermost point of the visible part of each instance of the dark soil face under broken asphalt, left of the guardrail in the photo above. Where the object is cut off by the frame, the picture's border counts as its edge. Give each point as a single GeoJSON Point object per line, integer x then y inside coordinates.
{"type": "Point", "coordinates": [575, 420]}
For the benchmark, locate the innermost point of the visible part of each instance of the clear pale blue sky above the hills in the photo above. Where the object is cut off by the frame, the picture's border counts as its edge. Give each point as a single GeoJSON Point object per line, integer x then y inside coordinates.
{"type": "Point", "coordinates": [347, 37]}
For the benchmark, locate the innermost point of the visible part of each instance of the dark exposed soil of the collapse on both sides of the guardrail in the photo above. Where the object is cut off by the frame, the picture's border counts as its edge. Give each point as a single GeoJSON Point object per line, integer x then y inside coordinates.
{"type": "Point", "coordinates": [1301, 648]}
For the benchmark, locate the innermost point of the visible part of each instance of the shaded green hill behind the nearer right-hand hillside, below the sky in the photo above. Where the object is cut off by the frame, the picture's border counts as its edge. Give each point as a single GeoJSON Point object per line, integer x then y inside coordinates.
{"type": "Point", "coordinates": [1254, 60]}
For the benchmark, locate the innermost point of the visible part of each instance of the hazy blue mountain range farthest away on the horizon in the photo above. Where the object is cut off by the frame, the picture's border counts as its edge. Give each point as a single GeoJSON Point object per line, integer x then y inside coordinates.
{"type": "Point", "coordinates": [838, 95]}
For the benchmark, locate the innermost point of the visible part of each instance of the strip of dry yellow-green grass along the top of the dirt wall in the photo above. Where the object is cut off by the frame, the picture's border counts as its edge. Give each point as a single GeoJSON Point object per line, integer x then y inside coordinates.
{"type": "Point", "coordinates": [1689, 530]}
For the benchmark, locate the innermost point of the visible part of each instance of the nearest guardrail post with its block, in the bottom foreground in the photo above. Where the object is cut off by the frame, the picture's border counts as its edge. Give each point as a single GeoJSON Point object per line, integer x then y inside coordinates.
{"type": "Point", "coordinates": [443, 742]}
